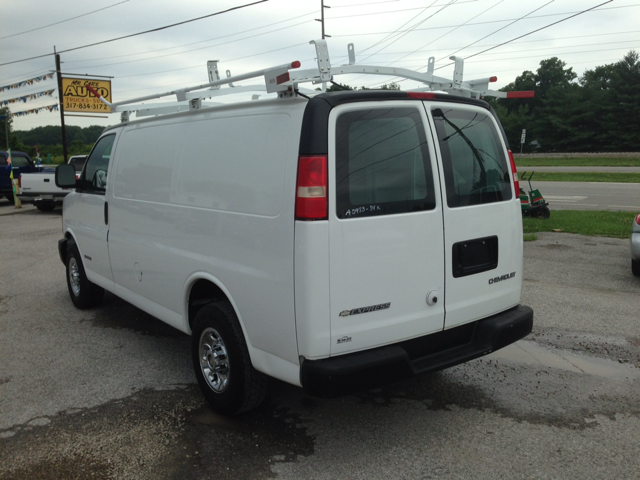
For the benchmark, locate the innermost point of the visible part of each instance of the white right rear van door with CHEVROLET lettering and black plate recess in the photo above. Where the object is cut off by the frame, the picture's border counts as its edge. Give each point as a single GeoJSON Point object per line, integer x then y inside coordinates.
{"type": "Point", "coordinates": [482, 219]}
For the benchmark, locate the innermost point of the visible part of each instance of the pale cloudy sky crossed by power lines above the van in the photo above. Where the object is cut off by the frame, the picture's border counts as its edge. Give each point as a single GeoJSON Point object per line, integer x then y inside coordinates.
{"type": "Point", "coordinates": [501, 38]}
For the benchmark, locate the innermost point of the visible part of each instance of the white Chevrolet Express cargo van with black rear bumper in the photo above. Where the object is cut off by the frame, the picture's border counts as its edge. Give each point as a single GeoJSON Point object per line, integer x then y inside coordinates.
{"type": "Point", "coordinates": [332, 242]}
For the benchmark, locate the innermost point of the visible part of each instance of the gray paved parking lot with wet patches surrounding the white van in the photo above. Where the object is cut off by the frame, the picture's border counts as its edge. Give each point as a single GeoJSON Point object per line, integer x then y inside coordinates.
{"type": "Point", "coordinates": [109, 393]}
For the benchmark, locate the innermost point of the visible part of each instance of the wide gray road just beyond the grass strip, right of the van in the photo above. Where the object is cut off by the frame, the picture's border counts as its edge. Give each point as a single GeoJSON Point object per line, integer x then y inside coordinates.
{"type": "Point", "coordinates": [589, 196]}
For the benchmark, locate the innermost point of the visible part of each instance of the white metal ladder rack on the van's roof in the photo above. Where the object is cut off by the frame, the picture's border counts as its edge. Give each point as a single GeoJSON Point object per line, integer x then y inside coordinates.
{"type": "Point", "coordinates": [284, 80]}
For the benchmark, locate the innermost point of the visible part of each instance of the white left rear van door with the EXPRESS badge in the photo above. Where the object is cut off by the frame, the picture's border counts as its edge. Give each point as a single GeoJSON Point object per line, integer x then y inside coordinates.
{"type": "Point", "coordinates": [386, 226]}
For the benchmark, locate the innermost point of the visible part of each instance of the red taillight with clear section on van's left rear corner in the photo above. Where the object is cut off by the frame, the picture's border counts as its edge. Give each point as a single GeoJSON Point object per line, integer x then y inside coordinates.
{"type": "Point", "coordinates": [311, 189]}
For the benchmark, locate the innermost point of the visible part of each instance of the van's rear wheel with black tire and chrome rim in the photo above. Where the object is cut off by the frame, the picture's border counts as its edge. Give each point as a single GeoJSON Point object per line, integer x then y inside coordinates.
{"type": "Point", "coordinates": [221, 361]}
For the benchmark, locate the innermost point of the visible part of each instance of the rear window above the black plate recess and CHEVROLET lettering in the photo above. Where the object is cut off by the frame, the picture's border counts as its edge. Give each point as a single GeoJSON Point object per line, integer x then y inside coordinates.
{"type": "Point", "coordinates": [475, 168]}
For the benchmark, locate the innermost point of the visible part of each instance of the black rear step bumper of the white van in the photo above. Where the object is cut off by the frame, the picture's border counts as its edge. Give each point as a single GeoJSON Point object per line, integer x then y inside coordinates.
{"type": "Point", "coordinates": [370, 368]}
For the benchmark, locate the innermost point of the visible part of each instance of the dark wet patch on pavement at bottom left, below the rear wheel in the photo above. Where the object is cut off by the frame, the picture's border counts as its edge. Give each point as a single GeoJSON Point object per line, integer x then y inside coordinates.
{"type": "Point", "coordinates": [156, 434]}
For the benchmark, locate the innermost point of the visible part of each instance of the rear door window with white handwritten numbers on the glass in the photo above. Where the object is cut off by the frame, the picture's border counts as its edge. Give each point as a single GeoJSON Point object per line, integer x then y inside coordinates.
{"type": "Point", "coordinates": [382, 163]}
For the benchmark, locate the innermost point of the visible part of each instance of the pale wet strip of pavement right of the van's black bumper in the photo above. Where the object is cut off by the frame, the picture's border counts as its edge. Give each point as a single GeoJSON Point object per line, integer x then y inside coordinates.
{"type": "Point", "coordinates": [531, 353]}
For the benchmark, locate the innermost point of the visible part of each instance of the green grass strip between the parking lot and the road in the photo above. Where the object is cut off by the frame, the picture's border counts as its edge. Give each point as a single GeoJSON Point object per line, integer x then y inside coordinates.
{"type": "Point", "coordinates": [593, 223]}
